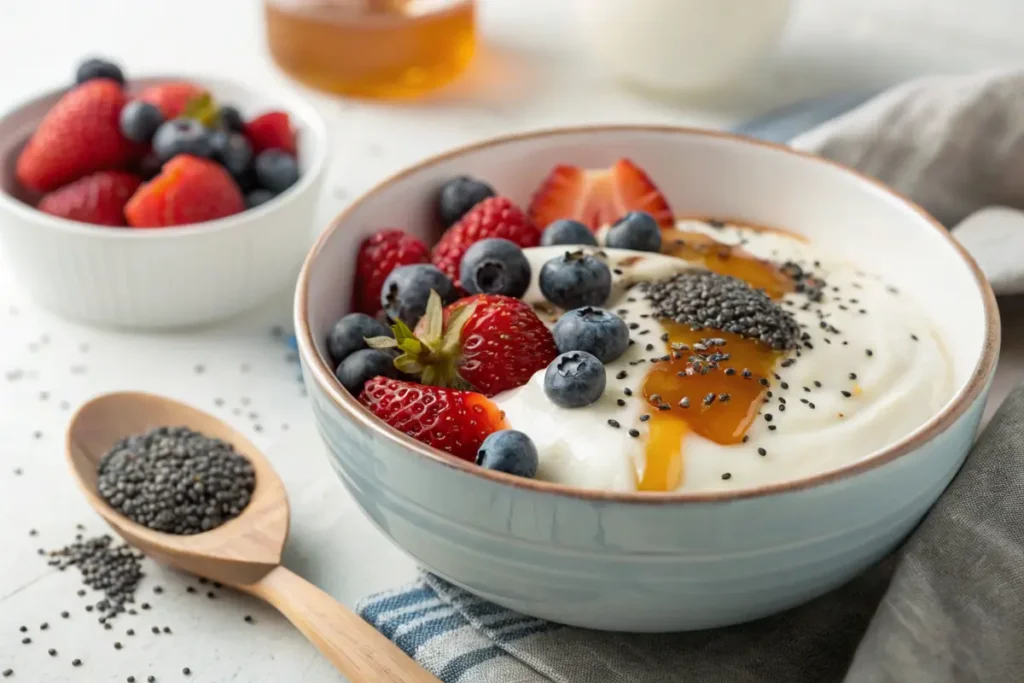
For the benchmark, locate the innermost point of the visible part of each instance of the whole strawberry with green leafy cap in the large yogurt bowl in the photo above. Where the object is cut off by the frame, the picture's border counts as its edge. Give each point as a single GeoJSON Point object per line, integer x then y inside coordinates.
{"type": "Point", "coordinates": [489, 343]}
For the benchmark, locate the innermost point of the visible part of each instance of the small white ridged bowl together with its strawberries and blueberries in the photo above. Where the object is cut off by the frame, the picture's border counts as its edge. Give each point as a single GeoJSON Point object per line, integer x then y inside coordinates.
{"type": "Point", "coordinates": [157, 202]}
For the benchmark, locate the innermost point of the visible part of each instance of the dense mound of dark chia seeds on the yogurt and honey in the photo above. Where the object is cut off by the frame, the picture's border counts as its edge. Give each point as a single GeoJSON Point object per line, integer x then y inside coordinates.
{"type": "Point", "coordinates": [707, 301]}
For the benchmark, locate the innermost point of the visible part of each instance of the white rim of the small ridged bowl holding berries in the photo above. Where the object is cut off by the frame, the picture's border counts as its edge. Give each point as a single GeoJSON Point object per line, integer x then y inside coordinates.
{"type": "Point", "coordinates": [297, 108]}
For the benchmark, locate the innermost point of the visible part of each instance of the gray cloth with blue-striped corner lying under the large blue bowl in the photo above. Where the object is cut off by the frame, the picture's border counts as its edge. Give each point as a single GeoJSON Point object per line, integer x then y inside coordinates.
{"type": "Point", "coordinates": [949, 607]}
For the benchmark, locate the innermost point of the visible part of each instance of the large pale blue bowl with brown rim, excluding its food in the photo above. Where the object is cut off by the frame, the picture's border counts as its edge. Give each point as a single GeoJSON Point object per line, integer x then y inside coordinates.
{"type": "Point", "coordinates": [659, 562]}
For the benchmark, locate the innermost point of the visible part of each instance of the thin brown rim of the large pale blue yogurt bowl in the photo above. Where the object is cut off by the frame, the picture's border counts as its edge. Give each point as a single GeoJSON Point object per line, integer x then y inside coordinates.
{"type": "Point", "coordinates": [353, 410]}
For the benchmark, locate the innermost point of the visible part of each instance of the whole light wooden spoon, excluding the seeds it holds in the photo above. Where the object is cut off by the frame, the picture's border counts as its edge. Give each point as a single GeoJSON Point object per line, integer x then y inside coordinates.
{"type": "Point", "coordinates": [245, 552]}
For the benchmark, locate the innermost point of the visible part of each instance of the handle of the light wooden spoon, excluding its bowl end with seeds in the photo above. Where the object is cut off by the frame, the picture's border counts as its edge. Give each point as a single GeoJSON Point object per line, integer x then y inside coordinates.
{"type": "Point", "coordinates": [357, 649]}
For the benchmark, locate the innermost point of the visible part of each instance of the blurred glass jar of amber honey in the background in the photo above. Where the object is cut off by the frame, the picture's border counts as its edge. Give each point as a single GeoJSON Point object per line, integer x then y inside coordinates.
{"type": "Point", "coordinates": [372, 49]}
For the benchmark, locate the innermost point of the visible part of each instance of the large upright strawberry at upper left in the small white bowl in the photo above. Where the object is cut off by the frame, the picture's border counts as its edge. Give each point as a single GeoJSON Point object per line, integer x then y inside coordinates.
{"type": "Point", "coordinates": [79, 136]}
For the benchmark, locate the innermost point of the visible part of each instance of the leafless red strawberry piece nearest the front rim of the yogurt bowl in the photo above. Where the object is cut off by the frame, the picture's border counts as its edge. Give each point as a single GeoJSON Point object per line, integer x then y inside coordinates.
{"type": "Point", "coordinates": [446, 419]}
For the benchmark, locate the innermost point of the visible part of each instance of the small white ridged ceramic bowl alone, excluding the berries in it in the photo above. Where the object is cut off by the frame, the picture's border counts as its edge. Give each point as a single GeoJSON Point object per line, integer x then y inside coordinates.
{"type": "Point", "coordinates": [170, 277]}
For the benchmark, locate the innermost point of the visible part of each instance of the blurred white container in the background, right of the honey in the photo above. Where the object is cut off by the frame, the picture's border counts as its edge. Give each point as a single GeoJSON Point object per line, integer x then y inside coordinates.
{"type": "Point", "coordinates": [675, 46]}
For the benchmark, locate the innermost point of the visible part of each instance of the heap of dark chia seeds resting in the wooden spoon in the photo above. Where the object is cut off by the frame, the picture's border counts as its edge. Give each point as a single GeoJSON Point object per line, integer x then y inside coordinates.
{"type": "Point", "coordinates": [176, 481]}
